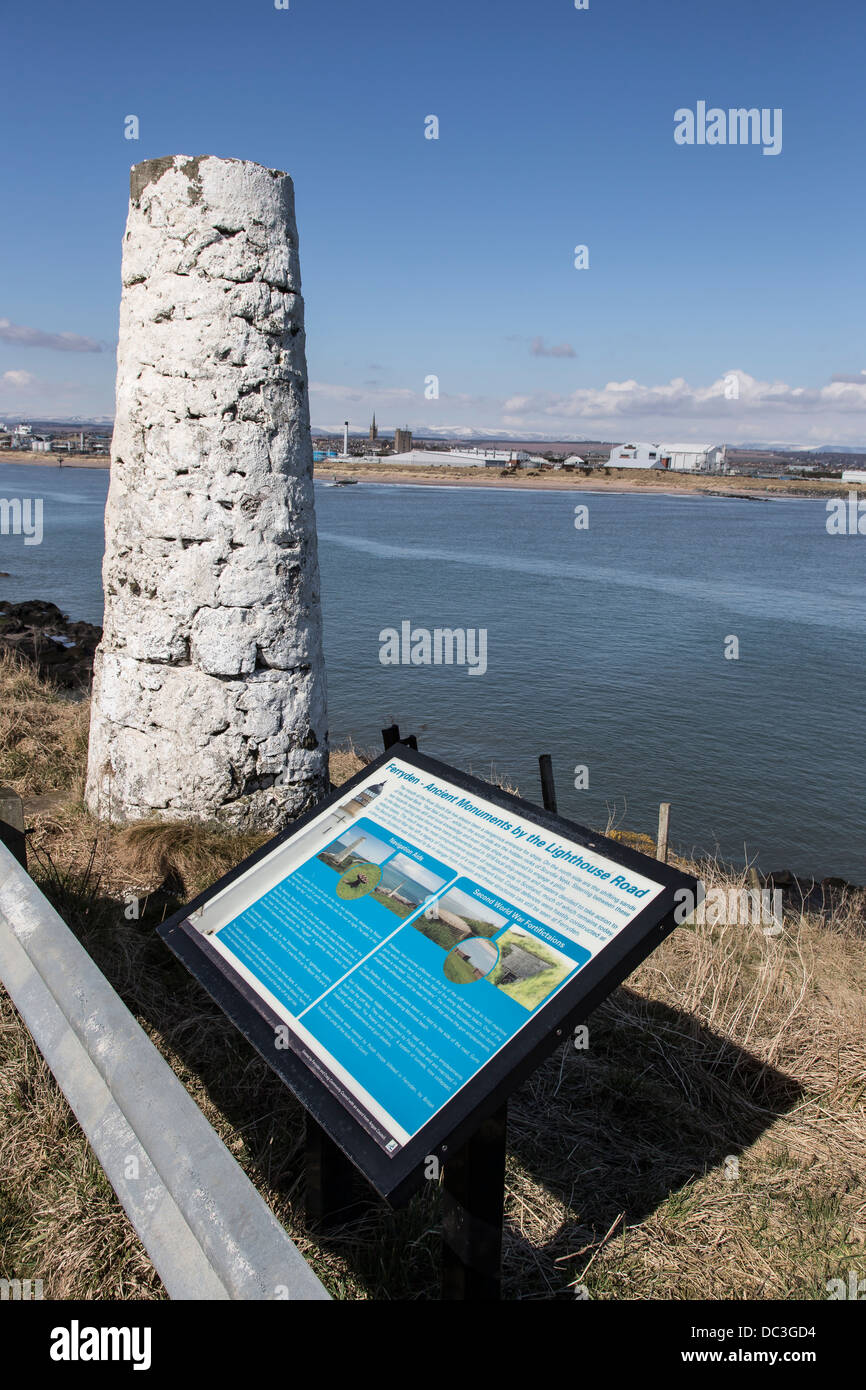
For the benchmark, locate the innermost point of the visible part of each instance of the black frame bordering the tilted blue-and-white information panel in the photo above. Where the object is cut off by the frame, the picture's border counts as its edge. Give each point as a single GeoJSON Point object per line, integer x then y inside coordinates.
{"type": "Point", "coordinates": [400, 1177]}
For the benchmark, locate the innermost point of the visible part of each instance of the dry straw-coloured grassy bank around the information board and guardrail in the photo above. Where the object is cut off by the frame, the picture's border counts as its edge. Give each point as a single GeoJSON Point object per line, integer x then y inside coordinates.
{"type": "Point", "coordinates": [708, 1143]}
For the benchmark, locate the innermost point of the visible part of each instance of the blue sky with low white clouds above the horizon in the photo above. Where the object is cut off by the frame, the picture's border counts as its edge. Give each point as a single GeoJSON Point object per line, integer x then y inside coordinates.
{"type": "Point", "coordinates": [455, 258]}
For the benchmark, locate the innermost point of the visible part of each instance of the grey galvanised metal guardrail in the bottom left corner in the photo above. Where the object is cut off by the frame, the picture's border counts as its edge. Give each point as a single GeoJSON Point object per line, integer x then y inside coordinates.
{"type": "Point", "coordinates": [208, 1231]}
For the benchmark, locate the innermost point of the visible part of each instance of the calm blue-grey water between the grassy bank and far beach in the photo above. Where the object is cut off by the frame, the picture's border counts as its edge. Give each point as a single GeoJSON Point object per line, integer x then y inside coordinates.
{"type": "Point", "coordinates": [605, 648]}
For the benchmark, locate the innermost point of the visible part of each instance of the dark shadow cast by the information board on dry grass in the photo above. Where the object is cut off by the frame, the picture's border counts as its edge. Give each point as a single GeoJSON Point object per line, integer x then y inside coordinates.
{"type": "Point", "coordinates": [655, 1103]}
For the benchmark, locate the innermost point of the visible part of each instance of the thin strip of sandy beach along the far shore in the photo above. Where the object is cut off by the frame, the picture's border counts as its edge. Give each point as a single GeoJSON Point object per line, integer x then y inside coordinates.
{"type": "Point", "coordinates": [644, 482]}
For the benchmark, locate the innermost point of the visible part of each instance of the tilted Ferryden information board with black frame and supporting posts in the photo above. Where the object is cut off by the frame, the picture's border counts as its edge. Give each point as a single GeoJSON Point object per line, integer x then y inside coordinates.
{"type": "Point", "coordinates": [404, 958]}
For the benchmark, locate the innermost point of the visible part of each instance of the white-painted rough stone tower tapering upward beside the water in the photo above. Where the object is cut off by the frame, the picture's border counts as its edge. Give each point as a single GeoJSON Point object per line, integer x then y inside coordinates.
{"type": "Point", "coordinates": [209, 697]}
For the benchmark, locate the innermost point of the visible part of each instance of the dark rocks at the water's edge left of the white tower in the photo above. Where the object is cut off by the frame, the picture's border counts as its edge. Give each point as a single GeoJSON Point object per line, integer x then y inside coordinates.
{"type": "Point", "coordinates": [60, 650]}
